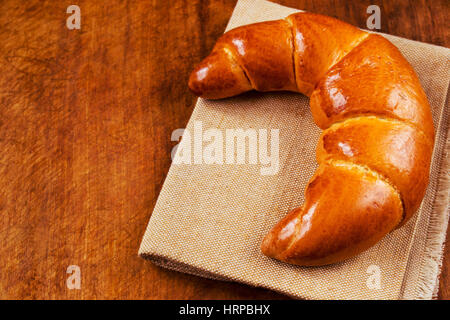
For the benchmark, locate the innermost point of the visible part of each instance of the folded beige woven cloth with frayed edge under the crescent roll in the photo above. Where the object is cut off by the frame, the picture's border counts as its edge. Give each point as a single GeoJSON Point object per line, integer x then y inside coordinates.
{"type": "Point", "coordinates": [210, 219]}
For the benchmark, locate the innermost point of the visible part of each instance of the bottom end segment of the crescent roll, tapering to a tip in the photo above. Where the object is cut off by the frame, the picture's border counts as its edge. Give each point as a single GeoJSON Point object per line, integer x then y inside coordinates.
{"type": "Point", "coordinates": [363, 209]}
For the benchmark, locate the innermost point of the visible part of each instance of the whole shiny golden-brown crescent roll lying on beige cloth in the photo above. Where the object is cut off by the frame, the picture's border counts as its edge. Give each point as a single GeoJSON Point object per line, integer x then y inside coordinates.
{"type": "Point", "coordinates": [375, 149]}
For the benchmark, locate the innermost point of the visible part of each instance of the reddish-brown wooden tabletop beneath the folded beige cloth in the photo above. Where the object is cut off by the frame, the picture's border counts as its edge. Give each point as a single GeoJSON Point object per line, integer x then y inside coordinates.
{"type": "Point", "coordinates": [85, 123]}
